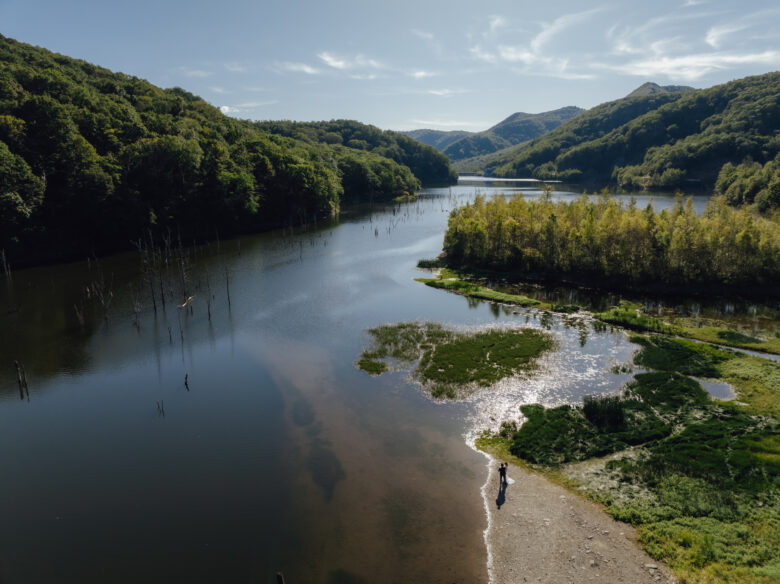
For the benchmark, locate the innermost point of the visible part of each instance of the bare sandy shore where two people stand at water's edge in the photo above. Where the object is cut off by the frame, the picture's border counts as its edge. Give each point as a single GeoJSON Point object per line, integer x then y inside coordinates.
{"type": "Point", "coordinates": [543, 533]}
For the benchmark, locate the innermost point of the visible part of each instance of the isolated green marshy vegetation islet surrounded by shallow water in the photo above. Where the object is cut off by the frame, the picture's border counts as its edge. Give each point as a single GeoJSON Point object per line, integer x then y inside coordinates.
{"type": "Point", "coordinates": [448, 363]}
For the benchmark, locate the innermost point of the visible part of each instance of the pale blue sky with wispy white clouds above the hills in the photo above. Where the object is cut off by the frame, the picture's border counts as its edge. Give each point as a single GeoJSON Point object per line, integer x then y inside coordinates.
{"type": "Point", "coordinates": [407, 64]}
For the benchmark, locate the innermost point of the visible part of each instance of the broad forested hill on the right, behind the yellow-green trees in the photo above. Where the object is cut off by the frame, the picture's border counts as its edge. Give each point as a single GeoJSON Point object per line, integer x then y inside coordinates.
{"type": "Point", "coordinates": [666, 140]}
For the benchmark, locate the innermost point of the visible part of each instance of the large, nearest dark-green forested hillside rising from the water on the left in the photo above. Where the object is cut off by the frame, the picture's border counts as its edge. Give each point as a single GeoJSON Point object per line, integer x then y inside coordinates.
{"type": "Point", "coordinates": [91, 160]}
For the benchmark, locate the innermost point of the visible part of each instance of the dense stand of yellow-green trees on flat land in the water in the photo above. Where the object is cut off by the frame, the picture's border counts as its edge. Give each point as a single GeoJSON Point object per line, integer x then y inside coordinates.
{"type": "Point", "coordinates": [604, 241]}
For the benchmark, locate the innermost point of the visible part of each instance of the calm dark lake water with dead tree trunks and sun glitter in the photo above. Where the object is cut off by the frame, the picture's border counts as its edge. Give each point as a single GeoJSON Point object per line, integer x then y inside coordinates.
{"type": "Point", "coordinates": [280, 456]}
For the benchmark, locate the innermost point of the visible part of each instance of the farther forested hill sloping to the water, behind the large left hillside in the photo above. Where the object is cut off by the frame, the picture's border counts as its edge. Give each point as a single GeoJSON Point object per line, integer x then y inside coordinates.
{"type": "Point", "coordinates": [427, 164]}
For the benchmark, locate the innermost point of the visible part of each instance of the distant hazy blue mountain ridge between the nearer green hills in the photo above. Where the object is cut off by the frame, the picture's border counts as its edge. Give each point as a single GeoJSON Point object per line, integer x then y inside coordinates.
{"type": "Point", "coordinates": [517, 128]}
